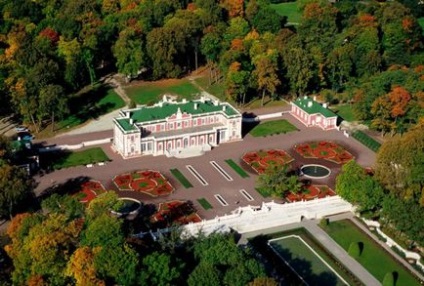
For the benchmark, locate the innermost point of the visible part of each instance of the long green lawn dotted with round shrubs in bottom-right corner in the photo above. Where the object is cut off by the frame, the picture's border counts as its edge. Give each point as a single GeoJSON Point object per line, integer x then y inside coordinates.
{"type": "Point", "coordinates": [374, 258]}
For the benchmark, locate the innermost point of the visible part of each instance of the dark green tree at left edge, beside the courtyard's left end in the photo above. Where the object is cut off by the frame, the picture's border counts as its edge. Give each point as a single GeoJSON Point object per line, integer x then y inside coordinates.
{"type": "Point", "coordinates": [15, 188]}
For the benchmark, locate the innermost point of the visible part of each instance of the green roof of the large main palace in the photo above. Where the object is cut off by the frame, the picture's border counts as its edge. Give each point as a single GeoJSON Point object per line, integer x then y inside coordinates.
{"type": "Point", "coordinates": [160, 113]}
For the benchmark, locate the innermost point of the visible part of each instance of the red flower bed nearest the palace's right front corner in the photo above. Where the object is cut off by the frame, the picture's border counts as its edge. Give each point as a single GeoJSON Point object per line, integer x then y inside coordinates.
{"type": "Point", "coordinates": [261, 160]}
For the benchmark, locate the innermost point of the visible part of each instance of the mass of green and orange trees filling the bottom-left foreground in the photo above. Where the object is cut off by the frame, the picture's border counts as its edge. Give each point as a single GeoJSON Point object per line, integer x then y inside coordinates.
{"type": "Point", "coordinates": [70, 244]}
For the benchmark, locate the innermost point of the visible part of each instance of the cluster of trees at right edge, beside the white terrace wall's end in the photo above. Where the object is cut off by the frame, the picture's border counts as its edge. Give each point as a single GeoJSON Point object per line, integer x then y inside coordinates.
{"type": "Point", "coordinates": [396, 192]}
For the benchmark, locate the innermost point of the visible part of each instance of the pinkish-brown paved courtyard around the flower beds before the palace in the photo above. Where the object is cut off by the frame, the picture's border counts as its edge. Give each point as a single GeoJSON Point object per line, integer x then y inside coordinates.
{"type": "Point", "coordinates": [210, 176]}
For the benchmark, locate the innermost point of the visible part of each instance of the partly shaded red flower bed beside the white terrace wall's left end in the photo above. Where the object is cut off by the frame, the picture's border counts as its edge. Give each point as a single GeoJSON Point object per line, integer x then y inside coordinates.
{"type": "Point", "coordinates": [175, 212]}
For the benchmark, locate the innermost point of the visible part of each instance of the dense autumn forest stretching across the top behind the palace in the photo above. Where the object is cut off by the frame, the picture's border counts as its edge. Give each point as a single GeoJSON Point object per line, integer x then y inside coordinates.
{"type": "Point", "coordinates": [367, 53]}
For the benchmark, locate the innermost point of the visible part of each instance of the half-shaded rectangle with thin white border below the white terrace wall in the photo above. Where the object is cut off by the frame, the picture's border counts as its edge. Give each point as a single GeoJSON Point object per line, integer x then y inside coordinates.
{"type": "Point", "coordinates": [305, 261]}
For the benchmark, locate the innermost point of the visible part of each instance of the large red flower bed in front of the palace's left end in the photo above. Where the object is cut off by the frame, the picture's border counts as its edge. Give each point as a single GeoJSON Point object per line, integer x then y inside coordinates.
{"type": "Point", "coordinates": [149, 182]}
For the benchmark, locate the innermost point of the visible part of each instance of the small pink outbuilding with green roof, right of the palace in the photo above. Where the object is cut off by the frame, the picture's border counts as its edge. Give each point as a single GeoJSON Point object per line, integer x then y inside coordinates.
{"type": "Point", "coordinates": [311, 113]}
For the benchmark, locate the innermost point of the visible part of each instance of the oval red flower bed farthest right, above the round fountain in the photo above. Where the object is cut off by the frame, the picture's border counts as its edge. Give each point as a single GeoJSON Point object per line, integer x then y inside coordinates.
{"type": "Point", "coordinates": [326, 150]}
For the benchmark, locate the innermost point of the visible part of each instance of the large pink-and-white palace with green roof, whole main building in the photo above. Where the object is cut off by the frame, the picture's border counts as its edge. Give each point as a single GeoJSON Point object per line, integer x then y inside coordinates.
{"type": "Point", "coordinates": [171, 128]}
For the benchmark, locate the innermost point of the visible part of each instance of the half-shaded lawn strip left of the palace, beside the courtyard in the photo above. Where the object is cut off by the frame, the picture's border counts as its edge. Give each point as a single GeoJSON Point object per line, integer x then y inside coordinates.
{"type": "Point", "coordinates": [61, 160]}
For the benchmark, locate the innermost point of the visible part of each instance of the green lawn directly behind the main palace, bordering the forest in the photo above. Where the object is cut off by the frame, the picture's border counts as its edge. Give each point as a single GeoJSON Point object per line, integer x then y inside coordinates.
{"type": "Point", "coordinates": [151, 92]}
